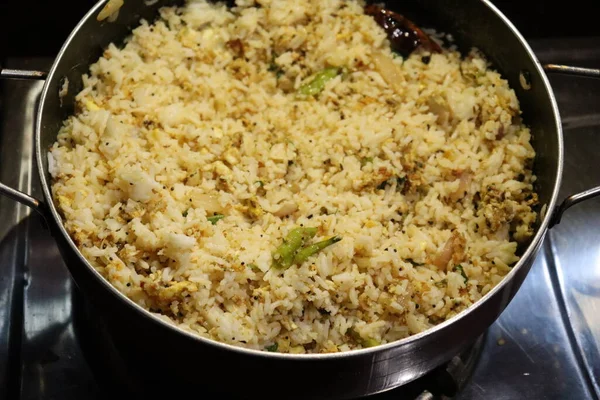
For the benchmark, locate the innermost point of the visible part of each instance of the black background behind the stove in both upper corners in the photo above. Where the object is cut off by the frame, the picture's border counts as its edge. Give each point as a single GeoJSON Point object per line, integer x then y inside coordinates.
{"type": "Point", "coordinates": [38, 28]}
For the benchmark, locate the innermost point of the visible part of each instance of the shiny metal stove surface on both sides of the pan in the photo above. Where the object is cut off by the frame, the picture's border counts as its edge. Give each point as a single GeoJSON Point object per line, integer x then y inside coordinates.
{"type": "Point", "coordinates": [544, 346]}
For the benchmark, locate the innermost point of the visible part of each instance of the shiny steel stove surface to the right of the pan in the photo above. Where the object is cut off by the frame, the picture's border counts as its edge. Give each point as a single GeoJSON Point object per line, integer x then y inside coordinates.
{"type": "Point", "coordinates": [541, 358]}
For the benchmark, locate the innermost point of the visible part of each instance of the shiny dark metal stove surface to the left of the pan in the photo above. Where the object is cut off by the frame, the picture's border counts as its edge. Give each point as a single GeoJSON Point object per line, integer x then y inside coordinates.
{"type": "Point", "coordinates": [45, 361]}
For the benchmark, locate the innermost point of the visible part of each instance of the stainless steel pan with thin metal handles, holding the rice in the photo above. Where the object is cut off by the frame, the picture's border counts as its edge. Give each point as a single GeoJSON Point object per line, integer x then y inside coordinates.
{"type": "Point", "coordinates": [168, 358]}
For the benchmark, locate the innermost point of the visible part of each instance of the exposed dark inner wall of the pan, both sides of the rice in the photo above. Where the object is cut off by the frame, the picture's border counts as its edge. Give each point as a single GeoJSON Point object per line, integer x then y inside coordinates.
{"type": "Point", "coordinates": [487, 32]}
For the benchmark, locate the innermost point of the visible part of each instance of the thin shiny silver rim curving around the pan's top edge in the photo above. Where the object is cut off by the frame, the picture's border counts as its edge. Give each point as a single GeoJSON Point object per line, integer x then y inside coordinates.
{"type": "Point", "coordinates": [527, 255]}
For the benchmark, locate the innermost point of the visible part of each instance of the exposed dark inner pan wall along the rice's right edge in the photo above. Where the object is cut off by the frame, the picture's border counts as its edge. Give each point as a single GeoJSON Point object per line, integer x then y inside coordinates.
{"type": "Point", "coordinates": [476, 24]}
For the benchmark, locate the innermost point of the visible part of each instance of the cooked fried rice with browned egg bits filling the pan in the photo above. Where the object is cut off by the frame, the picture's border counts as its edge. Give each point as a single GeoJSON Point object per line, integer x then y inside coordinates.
{"type": "Point", "coordinates": [422, 168]}
